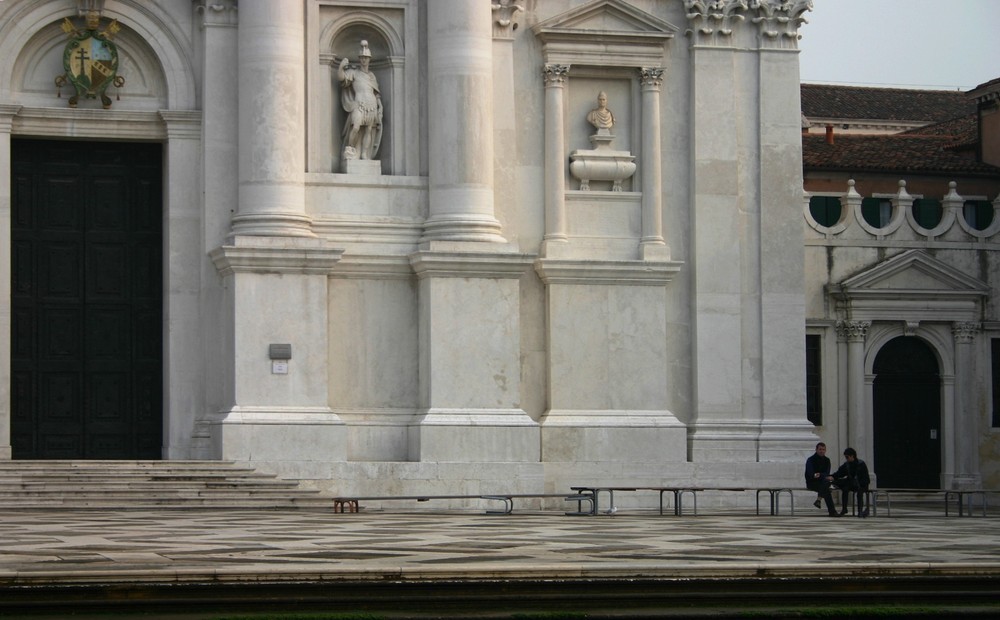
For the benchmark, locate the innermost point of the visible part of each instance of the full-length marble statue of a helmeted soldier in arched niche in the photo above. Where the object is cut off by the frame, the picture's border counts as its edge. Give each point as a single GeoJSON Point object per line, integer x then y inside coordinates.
{"type": "Point", "coordinates": [360, 96]}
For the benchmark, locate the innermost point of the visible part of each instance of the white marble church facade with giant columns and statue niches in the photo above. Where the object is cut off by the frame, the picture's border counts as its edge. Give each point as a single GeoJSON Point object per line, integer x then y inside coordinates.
{"type": "Point", "coordinates": [463, 318]}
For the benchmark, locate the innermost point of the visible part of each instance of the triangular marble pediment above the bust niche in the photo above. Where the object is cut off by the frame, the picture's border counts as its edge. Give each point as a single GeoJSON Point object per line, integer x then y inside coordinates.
{"type": "Point", "coordinates": [605, 33]}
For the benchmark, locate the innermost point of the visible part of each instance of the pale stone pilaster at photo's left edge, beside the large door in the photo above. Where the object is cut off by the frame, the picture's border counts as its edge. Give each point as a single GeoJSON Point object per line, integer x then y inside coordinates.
{"type": "Point", "coordinates": [7, 113]}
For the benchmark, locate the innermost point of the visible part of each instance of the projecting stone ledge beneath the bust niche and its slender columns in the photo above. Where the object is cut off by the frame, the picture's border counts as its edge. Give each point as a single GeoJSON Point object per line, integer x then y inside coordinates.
{"type": "Point", "coordinates": [622, 273]}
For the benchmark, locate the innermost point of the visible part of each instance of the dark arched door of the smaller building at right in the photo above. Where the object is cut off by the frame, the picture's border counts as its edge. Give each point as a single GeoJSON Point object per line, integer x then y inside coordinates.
{"type": "Point", "coordinates": [907, 415]}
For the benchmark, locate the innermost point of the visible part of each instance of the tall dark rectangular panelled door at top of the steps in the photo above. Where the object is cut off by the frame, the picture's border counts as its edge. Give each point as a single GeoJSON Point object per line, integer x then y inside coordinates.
{"type": "Point", "coordinates": [86, 300]}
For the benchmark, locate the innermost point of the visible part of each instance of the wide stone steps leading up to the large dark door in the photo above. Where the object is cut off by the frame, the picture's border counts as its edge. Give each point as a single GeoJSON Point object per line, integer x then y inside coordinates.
{"type": "Point", "coordinates": [143, 485]}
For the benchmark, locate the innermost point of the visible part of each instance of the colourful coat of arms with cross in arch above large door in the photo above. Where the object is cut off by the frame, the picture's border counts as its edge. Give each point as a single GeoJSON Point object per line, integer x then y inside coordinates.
{"type": "Point", "coordinates": [90, 60]}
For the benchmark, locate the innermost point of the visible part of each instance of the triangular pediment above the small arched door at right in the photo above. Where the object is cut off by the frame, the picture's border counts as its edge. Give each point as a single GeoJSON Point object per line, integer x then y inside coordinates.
{"type": "Point", "coordinates": [914, 271]}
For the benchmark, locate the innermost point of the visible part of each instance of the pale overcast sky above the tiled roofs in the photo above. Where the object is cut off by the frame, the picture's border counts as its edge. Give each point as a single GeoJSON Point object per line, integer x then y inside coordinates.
{"type": "Point", "coordinates": [948, 44]}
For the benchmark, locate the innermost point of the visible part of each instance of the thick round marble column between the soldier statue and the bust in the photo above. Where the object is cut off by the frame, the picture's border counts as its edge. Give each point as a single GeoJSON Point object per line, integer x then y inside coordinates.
{"type": "Point", "coordinates": [460, 122]}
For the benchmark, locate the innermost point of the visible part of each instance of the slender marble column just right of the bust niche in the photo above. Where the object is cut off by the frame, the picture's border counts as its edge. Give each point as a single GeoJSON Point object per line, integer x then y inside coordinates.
{"type": "Point", "coordinates": [652, 245]}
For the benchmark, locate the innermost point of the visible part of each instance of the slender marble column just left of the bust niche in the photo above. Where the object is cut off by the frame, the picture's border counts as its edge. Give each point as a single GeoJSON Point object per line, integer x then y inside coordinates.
{"type": "Point", "coordinates": [555, 157]}
